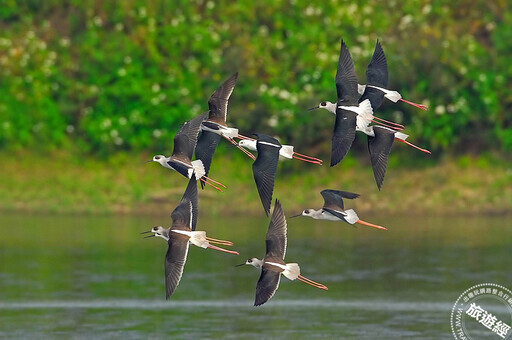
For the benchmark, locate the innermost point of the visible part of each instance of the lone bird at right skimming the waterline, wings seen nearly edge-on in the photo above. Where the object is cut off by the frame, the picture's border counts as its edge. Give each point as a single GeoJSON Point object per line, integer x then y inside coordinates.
{"type": "Point", "coordinates": [333, 209]}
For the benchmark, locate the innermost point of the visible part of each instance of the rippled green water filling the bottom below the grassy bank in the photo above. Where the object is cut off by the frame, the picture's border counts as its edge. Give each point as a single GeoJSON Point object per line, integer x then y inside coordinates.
{"type": "Point", "coordinates": [101, 280]}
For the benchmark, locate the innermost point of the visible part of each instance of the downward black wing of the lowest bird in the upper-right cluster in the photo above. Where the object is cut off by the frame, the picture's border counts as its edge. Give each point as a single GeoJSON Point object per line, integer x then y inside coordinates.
{"type": "Point", "coordinates": [380, 147]}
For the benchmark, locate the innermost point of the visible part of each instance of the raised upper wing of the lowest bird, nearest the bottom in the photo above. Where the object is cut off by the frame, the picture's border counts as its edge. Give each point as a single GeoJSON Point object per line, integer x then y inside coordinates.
{"type": "Point", "coordinates": [276, 233]}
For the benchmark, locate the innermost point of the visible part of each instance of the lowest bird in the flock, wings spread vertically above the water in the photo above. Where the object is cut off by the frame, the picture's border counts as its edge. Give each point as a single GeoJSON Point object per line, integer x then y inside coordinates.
{"type": "Point", "coordinates": [273, 265]}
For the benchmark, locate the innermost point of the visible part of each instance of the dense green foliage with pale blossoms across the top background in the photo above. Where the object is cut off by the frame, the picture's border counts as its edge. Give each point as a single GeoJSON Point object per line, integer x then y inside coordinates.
{"type": "Point", "coordinates": [125, 75]}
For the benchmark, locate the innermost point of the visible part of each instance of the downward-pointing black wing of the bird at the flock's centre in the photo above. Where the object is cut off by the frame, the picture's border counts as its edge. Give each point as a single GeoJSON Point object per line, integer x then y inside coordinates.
{"type": "Point", "coordinates": [264, 168]}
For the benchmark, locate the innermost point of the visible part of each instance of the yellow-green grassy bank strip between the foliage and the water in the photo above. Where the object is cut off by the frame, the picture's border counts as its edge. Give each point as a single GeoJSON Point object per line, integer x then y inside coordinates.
{"type": "Point", "coordinates": [64, 183]}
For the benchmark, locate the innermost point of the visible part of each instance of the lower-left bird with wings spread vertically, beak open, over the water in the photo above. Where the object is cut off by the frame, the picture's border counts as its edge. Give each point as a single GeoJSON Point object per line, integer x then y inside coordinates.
{"type": "Point", "coordinates": [179, 236]}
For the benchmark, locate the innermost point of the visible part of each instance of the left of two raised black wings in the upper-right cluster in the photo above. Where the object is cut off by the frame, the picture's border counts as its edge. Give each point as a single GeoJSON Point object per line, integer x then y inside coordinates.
{"type": "Point", "coordinates": [346, 78]}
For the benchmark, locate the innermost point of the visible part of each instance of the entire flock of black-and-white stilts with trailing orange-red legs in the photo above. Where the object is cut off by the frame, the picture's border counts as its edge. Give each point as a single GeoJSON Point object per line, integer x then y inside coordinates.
{"type": "Point", "coordinates": [354, 111]}
